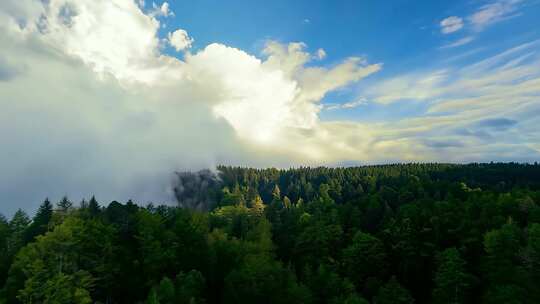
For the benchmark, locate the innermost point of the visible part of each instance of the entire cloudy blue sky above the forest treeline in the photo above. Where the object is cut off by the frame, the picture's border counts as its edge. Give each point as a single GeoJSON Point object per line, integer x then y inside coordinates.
{"type": "Point", "coordinates": [111, 97]}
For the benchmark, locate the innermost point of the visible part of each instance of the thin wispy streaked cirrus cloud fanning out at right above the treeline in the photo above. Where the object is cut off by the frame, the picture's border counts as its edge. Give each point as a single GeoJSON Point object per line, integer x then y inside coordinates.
{"type": "Point", "coordinates": [489, 107]}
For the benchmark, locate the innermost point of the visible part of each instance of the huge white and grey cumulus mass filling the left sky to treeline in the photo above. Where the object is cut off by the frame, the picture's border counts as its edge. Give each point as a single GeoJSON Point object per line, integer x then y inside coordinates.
{"type": "Point", "coordinates": [109, 114]}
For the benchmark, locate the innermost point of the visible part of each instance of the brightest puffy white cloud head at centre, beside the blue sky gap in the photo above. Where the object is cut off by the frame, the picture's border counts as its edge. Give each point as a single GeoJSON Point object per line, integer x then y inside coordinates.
{"type": "Point", "coordinates": [257, 109]}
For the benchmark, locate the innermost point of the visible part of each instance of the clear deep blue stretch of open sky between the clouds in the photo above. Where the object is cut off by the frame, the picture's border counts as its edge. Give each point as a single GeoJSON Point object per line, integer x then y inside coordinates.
{"type": "Point", "coordinates": [404, 36]}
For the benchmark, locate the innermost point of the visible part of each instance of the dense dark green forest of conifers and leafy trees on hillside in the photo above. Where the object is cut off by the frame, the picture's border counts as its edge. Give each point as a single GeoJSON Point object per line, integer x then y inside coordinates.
{"type": "Point", "coordinates": [397, 233]}
